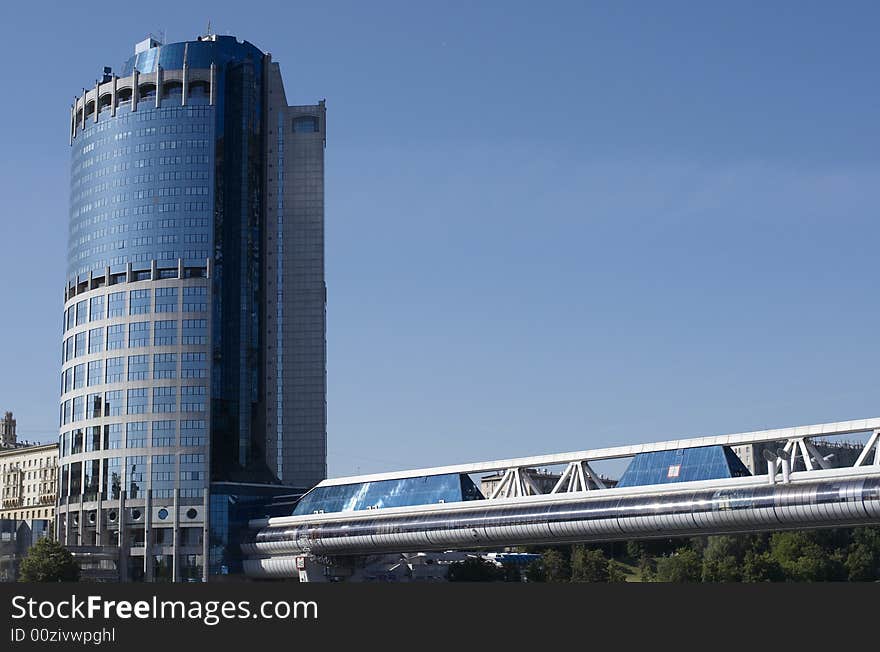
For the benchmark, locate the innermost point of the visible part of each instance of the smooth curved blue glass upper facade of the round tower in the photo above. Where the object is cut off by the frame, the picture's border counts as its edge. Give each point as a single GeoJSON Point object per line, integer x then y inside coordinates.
{"type": "Point", "coordinates": [141, 190]}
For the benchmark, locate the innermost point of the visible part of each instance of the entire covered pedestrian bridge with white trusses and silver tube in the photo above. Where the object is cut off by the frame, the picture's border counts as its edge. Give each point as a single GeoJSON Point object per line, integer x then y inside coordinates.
{"type": "Point", "coordinates": [672, 488]}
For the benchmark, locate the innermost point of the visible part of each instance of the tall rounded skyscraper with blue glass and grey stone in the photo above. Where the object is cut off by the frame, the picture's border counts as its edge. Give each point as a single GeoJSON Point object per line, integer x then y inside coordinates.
{"type": "Point", "coordinates": [193, 361]}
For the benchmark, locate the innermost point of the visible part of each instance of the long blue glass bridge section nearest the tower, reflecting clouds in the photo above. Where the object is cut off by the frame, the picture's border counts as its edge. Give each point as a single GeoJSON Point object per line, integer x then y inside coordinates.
{"type": "Point", "coordinates": [424, 490]}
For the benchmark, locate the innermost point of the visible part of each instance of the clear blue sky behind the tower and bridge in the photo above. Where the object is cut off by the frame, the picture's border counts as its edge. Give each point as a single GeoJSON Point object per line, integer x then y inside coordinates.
{"type": "Point", "coordinates": [550, 226]}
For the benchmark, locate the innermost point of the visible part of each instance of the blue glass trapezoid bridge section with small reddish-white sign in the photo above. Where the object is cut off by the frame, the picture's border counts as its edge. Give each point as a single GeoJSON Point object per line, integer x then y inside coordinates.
{"type": "Point", "coordinates": [683, 465]}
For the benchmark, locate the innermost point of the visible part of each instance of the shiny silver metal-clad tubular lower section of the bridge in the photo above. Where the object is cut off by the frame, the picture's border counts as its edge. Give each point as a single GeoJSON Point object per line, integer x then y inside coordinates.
{"type": "Point", "coordinates": [752, 508]}
